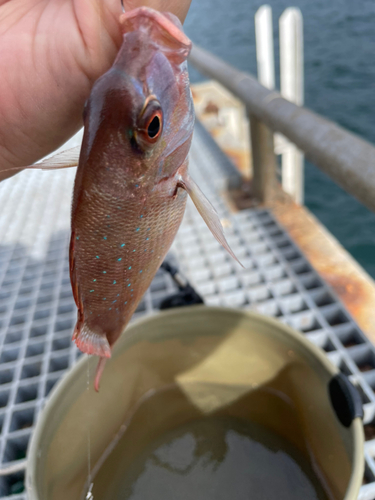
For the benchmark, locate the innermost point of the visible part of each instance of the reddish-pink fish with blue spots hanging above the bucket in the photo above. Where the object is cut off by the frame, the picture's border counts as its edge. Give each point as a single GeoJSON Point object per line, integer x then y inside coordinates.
{"type": "Point", "coordinates": [132, 180]}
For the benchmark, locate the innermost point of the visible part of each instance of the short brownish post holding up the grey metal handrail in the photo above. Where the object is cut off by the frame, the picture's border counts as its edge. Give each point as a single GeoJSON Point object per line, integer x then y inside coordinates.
{"type": "Point", "coordinates": [264, 164]}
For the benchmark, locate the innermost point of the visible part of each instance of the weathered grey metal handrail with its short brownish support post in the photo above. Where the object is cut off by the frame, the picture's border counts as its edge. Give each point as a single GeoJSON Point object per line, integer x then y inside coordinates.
{"type": "Point", "coordinates": [345, 157]}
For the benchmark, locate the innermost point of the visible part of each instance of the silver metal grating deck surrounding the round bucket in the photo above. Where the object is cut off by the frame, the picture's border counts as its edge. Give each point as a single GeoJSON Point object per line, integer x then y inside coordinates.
{"type": "Point", "coordinates": [37, 311]}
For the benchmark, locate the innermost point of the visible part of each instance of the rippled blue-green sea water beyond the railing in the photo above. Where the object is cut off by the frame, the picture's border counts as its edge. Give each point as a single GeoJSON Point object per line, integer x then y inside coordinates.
{"type": "Point", "coordinates": [339, 52]}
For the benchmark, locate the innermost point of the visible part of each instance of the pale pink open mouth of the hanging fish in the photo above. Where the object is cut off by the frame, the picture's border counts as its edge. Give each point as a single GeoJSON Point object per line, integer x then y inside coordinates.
{"type": "Point", "coordinates": [163, 28]}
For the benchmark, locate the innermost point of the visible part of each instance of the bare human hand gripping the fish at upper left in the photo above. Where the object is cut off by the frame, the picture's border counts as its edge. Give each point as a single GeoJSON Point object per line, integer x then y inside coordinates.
{"type": "Point", "coordinates": [51, 53]}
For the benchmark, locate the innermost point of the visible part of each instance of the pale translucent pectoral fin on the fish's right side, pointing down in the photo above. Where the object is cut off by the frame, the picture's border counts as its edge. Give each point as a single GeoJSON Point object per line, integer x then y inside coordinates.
{"type": "Point", "coordinates": [207, 212]}
